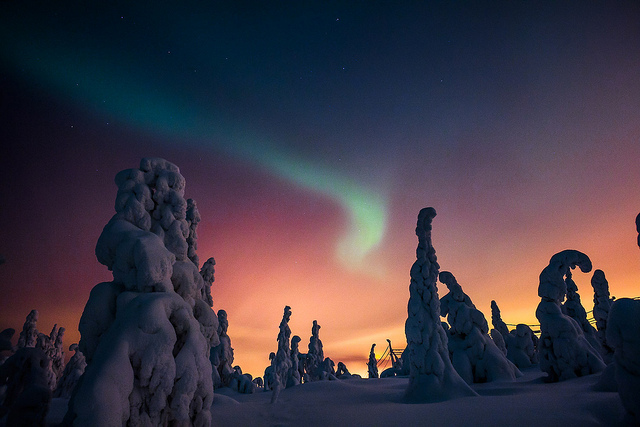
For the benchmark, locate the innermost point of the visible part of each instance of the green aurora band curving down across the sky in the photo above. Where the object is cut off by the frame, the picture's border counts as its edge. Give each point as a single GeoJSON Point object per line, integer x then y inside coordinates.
{"type": "Point", "coordinates": [140, 102]}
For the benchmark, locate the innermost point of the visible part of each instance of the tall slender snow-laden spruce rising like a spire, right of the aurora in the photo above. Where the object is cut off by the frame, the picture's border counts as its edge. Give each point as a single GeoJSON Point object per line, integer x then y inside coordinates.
{"type": "Point", "coordinates": [432, 377]}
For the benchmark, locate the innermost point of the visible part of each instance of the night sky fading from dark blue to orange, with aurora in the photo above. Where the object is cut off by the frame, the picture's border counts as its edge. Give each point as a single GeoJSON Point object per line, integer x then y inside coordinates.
{"type": "Point", "coordinates": [311, 134]}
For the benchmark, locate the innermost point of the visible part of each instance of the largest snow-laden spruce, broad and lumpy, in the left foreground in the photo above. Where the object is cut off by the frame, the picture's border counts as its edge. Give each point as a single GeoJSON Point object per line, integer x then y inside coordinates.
{"type": "Point", "coordinates": [146, 335]}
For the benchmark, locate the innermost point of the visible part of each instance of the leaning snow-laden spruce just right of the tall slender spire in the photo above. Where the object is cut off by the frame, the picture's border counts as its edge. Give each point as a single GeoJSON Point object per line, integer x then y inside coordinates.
{"type": "Point", "coordinates": [473, 353]}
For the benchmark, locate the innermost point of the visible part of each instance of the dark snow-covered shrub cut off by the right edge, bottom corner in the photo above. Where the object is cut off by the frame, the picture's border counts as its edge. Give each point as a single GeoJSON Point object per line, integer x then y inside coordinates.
{"type": "Point", "coordinates": [623, 334]}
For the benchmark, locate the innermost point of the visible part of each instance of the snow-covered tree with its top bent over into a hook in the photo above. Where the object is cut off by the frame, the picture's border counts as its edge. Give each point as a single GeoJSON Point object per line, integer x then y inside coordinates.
{"type": "Point", "coordinates": [563, 349]}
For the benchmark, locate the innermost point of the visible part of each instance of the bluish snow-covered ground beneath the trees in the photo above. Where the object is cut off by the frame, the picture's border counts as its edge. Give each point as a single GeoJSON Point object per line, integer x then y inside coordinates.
{"type": "Point", "coordinates": [377, 402]}
